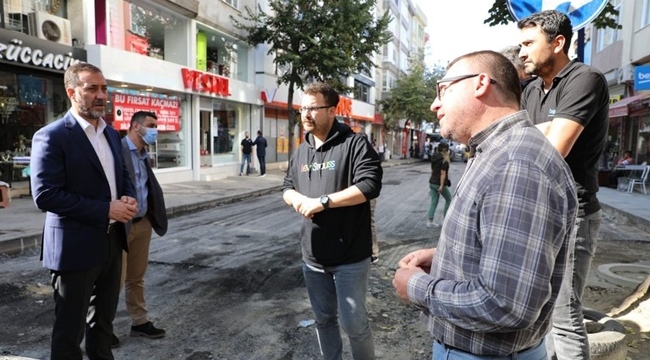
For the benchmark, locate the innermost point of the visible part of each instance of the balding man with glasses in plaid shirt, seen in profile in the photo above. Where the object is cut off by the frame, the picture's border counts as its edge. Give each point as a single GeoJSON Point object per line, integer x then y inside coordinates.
{"type": "Point", "coordinates": [488, 289]}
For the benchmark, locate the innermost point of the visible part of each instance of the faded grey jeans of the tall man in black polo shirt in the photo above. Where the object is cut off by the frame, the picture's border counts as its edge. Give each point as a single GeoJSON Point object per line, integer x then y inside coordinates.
{"type": "Point", "coordinates": [568, 337]}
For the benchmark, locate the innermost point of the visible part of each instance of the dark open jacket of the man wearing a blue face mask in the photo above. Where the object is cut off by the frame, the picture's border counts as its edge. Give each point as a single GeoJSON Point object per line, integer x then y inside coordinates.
{"type": "Point", "coordinates": [156, 209]}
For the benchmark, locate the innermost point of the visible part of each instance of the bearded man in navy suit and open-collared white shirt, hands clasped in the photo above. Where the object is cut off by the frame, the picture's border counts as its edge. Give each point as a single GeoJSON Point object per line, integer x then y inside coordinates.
{"type": "Point", "coordinates": [79, 178]}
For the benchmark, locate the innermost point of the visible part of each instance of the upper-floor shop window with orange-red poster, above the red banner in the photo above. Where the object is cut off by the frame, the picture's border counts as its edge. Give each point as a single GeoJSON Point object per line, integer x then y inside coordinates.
{"type": "Point", "coordinates": [145, 28]}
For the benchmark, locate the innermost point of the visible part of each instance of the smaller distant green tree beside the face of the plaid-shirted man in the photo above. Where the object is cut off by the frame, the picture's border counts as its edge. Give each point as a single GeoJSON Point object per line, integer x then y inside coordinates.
{"type": "Point", "coordinates": [412, 96]}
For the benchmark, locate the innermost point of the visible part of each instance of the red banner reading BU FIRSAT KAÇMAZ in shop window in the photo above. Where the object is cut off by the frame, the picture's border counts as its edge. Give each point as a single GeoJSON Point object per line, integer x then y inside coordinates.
{"type": "Point", "coordinates": [167, 111]}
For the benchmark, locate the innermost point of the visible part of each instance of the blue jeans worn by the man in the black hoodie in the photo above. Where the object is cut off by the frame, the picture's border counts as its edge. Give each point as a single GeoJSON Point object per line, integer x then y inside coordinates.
{"type": "Point", "coordinates": [339, 295]}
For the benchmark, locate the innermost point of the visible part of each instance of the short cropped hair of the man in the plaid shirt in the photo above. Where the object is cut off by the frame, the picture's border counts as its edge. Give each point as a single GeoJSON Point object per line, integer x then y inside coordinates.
{"type": "Point", "coordinates": [500, 69]}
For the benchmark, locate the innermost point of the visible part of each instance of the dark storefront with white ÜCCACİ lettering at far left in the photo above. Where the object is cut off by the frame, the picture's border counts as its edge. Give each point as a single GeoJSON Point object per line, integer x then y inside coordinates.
{"type": "Point", "coordinates": [32, 94]}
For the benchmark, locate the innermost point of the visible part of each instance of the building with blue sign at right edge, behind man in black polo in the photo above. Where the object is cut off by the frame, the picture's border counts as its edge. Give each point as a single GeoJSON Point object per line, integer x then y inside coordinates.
{"type": "Point", "coordinates": [623, 55]}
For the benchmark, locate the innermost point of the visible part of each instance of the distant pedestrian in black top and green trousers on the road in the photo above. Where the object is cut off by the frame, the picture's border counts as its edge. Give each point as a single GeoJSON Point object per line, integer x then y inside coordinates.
{"type": "Point", "coordinates": [439, 182]}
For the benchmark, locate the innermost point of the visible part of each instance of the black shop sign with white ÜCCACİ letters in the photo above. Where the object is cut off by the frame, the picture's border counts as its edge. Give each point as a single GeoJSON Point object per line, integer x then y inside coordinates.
{"type": "Point", "coordinates": [20, 49]}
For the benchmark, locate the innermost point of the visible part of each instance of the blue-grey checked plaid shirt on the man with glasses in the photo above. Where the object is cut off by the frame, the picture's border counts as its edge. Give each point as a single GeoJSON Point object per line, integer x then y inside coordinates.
{"type": "Point", "coordinates": [504, 244]}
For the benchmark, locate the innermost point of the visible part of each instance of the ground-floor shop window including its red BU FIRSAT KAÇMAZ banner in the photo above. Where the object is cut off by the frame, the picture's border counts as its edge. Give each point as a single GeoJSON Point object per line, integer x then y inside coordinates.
{"type": "Point", "coordinates": [171, 149]}
